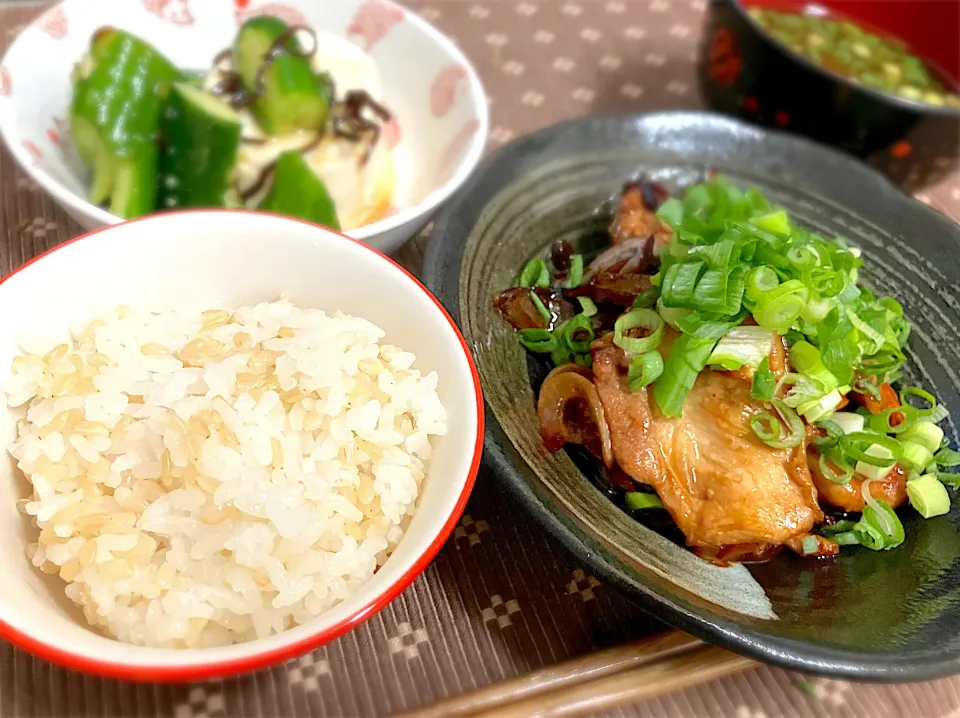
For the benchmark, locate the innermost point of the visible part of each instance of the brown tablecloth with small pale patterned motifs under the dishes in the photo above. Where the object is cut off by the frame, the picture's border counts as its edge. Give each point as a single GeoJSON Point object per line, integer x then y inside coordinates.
{"type": "Point", "coordinates": [501, 599]}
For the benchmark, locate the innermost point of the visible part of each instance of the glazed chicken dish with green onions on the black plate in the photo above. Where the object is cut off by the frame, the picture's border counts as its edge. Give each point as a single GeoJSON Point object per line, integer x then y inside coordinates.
{"type": "Point", "coordinates": [724, 365]}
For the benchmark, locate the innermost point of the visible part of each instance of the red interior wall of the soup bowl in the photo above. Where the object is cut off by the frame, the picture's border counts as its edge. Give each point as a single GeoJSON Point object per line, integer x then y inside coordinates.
{"type": "Point", "coordinates": [929, 27]}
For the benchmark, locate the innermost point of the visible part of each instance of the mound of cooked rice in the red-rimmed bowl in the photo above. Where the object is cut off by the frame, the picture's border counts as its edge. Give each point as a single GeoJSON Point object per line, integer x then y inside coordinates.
{"type": "Point", "coordinates": [204, 478]}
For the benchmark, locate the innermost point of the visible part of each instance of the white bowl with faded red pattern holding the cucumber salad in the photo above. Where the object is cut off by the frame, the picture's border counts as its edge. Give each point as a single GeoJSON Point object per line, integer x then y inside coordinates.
{"type": "Point", "coordinates": [440, 115]}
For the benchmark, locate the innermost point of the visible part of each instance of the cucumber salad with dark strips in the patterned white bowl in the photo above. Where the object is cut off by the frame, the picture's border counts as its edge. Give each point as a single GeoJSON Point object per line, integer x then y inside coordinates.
{"type": "Point", "coordinates": [266, 128]}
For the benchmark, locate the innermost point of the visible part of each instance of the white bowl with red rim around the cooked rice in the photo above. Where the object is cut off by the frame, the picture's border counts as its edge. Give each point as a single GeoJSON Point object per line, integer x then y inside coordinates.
{"type": "Point", "coordinates": [222, 258]}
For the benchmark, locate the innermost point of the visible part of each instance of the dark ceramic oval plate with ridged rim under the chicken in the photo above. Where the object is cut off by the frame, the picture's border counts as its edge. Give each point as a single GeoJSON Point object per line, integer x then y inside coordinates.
{"type": "Point", "coordinates": [891, 615]}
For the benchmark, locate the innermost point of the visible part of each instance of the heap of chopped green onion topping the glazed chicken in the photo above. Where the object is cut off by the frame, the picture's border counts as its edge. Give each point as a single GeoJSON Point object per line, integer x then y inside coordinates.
{"type": "Point", "coordinates": [731, 246]}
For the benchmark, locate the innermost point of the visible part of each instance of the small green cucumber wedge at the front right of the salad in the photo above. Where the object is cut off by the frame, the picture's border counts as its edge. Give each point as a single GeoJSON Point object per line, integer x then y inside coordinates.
{"type": "Point", "coordinates": [298, 192]}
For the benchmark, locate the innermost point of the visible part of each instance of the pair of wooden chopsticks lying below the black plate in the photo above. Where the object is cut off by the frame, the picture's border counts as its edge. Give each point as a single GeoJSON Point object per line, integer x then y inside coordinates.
{"type": "Point", "coordinates": [600, 676]}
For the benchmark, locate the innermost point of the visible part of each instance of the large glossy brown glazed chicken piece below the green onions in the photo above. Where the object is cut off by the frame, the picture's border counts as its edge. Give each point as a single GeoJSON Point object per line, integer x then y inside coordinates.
{"type": "Point", "coordinates": [721, 484]}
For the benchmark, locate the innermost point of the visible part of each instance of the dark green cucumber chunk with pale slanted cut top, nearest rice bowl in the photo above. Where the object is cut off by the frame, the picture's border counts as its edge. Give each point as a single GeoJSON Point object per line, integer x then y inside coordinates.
{"type": "Point", "coordinates": [202, 135]}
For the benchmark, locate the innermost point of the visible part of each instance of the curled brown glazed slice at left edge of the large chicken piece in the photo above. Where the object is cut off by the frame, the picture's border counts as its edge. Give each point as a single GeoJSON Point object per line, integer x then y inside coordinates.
{"type": "Point", "coordinates": [566, 383]}
